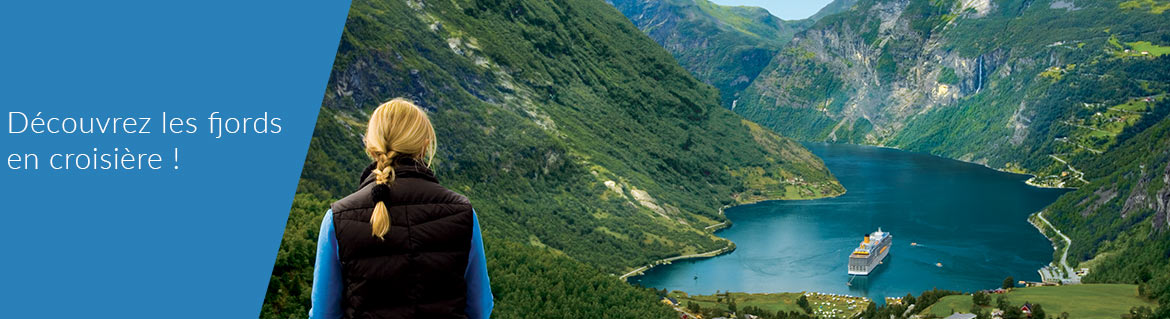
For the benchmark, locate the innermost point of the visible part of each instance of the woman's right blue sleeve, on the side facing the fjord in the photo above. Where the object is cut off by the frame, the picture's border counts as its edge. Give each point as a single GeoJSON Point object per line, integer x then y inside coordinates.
{"type": "Point", "coordinates": [479, 287]}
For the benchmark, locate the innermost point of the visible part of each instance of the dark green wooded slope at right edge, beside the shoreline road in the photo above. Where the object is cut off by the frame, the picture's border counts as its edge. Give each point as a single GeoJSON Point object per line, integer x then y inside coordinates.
{"type": "Point", "coordinates": [1119, 223]}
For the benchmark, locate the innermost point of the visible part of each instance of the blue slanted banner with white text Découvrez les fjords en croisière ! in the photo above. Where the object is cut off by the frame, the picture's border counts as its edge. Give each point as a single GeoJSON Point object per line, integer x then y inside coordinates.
{"type": "Point", "coordinates": [152, 151]}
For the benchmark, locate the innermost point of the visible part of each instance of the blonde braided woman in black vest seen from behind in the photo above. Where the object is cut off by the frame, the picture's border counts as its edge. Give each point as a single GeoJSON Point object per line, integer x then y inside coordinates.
{"type": "Point", "coordinates": [402, 246]}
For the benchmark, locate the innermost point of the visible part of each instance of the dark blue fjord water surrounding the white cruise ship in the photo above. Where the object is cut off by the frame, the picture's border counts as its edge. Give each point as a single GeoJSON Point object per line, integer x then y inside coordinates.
{"type": "Point", "coordinates": [969, 218]}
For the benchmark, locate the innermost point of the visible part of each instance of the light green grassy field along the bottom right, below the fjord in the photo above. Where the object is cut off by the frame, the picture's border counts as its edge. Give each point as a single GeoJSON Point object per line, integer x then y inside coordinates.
{"type": "Point", "coordinates": [1089, 301]}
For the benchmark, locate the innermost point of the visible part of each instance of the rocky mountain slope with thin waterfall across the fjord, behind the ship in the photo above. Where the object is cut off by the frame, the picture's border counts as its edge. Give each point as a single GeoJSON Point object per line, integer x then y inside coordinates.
{"type": "Point", "coordinates": [982, 81]}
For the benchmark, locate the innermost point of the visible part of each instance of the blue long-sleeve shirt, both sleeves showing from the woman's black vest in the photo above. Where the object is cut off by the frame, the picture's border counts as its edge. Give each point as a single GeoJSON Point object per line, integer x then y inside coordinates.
{"type": "Point", "coordinates": [328, 285]}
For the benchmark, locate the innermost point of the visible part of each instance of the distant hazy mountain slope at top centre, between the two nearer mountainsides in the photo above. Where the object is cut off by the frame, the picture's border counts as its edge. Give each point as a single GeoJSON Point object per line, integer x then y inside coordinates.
{"type": "Point", "coordinates": [722, 46]}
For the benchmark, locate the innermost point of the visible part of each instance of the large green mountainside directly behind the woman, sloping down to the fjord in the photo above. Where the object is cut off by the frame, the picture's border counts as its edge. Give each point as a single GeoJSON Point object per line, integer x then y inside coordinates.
{"type": "Point", "coordinates": [574, 135]}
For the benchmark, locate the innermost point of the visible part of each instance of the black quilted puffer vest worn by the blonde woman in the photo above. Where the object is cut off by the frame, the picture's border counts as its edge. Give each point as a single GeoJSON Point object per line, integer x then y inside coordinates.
{"type": "Point", "coordinates": [417, 272]}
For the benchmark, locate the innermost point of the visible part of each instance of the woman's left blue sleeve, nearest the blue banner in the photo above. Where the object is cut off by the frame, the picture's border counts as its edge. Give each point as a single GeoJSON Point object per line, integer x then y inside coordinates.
{"type": "Point", "coordinates": [327, 274]}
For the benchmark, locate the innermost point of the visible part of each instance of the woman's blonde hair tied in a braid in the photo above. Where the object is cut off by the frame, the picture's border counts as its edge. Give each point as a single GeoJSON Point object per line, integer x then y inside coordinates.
{"type": "Point", "coordinates": [397, 129]}
